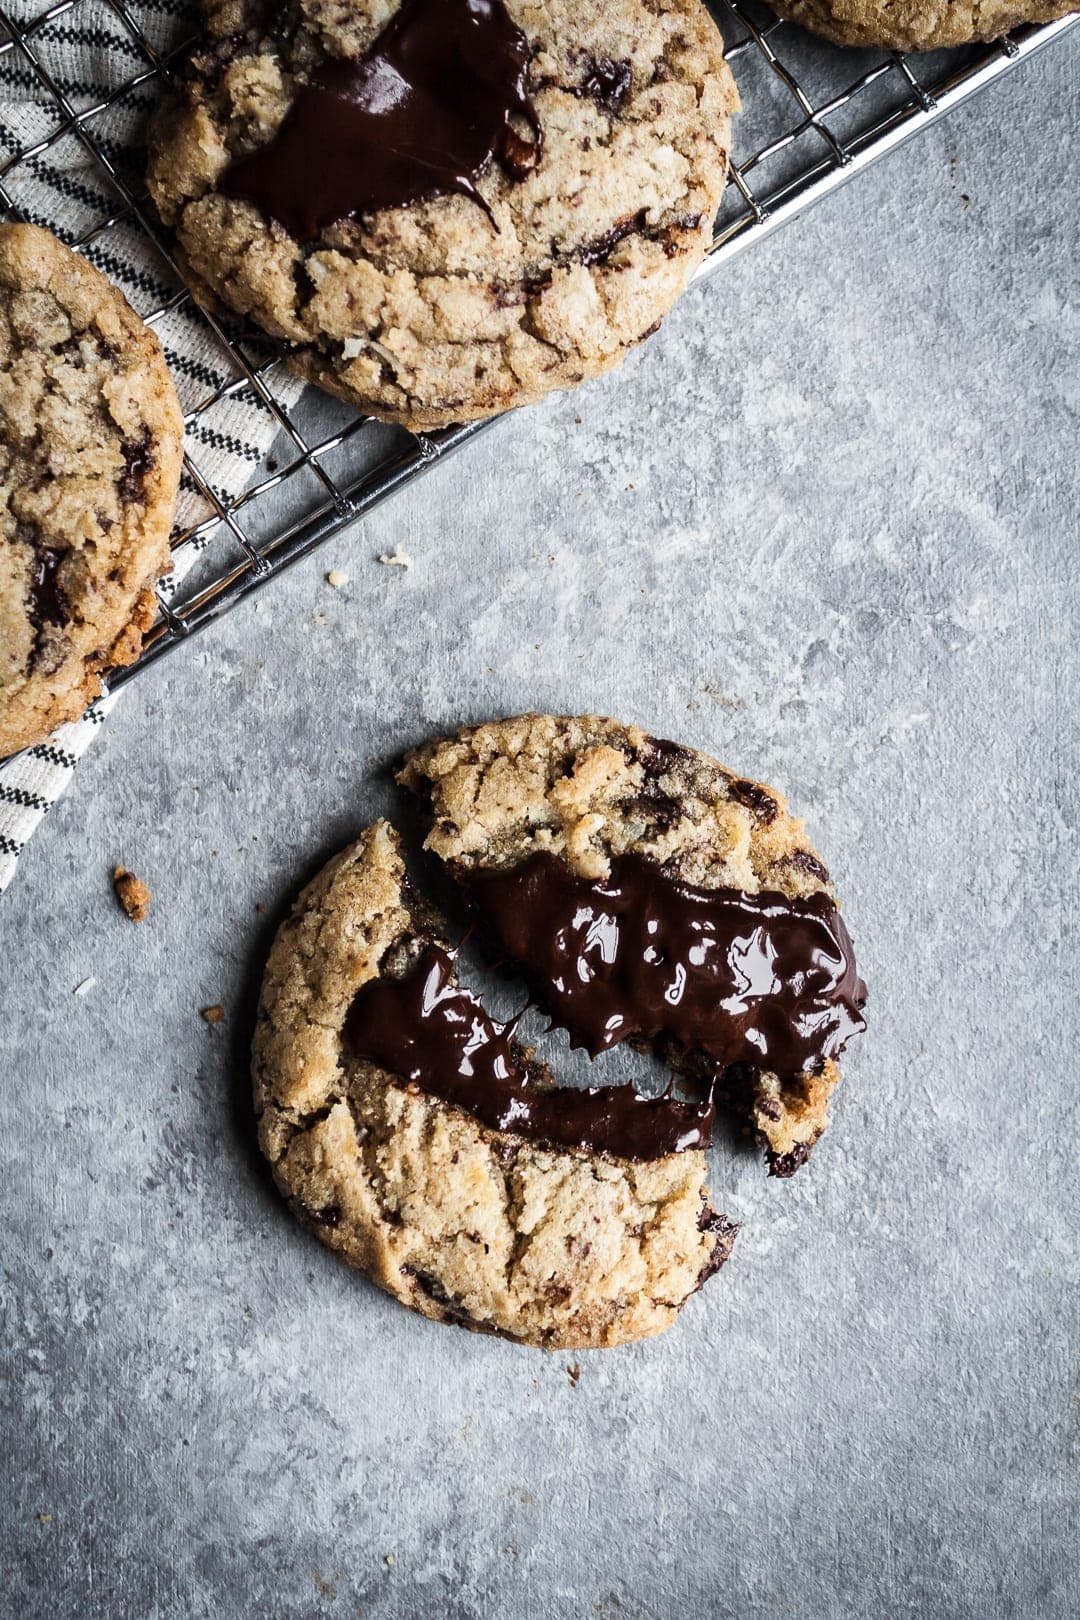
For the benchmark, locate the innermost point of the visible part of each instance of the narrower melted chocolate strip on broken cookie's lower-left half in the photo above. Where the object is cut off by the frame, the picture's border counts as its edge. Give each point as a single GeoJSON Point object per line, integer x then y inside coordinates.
{"type": "Point", "coordinates": [436, 1034]}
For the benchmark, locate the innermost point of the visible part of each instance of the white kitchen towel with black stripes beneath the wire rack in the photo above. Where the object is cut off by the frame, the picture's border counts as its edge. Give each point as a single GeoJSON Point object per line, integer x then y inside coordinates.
{"type": "Point", "coordinates": [77, 85]}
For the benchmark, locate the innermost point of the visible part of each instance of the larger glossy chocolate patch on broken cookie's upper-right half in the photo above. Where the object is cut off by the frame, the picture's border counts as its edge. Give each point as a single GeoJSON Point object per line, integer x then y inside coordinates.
{"type": "Point", "coordinates": [754, 979]}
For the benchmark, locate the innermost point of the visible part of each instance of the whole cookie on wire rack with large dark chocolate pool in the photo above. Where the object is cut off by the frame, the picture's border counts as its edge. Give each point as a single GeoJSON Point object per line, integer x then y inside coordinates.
{"type": "Point", "coordinates": [511, 223]}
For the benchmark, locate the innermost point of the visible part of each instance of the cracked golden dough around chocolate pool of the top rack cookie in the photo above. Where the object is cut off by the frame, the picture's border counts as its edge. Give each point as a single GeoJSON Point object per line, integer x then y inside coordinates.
{"type": "Point", "coordinates": [430, 315]}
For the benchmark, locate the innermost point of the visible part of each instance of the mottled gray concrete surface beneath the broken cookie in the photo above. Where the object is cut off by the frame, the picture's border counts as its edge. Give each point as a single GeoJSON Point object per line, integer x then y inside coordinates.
{"type": "Point", "coordinates": [825, 526]}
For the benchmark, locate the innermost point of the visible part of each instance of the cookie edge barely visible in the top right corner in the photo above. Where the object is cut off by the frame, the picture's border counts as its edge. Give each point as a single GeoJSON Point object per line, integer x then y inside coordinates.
{"type": "Point", "coordinates": [917, 25]}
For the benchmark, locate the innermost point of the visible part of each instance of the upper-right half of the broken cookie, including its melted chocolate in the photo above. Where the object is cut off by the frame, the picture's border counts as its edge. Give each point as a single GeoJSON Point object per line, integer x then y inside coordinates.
{"type": "Point", "coordinates": [650, 895]}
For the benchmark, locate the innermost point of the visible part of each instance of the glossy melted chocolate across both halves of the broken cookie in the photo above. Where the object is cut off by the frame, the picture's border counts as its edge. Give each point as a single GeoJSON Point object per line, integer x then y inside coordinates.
{"type": "Point", "coordinates": [742, 979]}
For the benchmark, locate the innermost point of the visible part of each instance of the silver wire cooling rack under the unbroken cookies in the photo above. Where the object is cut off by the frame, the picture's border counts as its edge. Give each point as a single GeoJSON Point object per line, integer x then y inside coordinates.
{"type": "Point", "coordinates": [814, 116]}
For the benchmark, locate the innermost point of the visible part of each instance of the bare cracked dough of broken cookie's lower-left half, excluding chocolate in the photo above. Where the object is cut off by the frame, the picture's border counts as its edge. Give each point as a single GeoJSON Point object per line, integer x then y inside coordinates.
{"type": "Point", "coordinates": [464, 1224]}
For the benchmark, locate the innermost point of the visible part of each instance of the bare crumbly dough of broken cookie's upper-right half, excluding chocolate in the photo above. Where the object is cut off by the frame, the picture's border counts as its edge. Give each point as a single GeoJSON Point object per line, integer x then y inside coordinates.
{"type": "Point", "coordinates": [592, 790]}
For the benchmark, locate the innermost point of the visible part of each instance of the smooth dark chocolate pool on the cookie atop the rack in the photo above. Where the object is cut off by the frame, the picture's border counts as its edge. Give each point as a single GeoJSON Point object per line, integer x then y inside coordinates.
{"type": "Point", "coordinates": [422, 114]}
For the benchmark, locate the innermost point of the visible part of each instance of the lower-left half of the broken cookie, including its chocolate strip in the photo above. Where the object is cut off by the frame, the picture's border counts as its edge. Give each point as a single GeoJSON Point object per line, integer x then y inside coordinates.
{"type": "Point", "coordinates": [422, 1145]}
